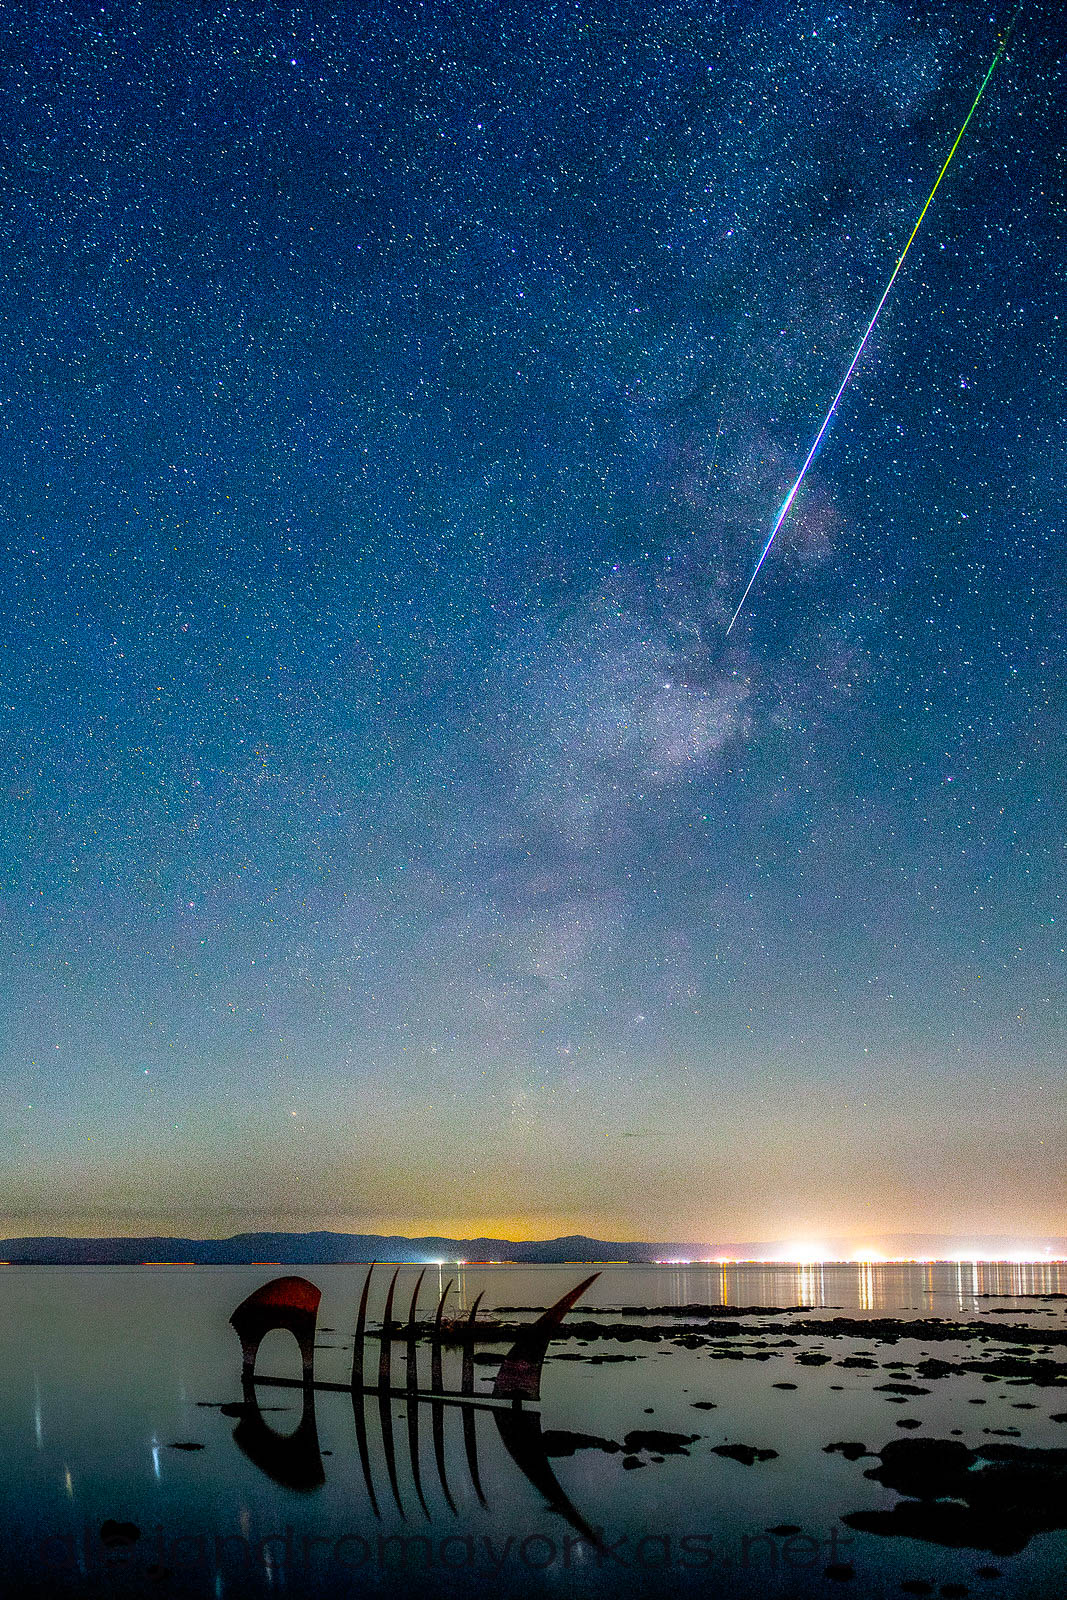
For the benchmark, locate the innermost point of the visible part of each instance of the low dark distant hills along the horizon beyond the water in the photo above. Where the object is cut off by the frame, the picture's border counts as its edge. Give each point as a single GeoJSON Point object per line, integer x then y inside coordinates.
{"type": "Point", "coordinates": [324, 1249]}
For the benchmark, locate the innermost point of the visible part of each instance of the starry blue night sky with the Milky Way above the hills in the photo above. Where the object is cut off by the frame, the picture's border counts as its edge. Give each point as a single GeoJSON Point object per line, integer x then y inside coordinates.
{"type": "Point", "coordinates": [394, 401]}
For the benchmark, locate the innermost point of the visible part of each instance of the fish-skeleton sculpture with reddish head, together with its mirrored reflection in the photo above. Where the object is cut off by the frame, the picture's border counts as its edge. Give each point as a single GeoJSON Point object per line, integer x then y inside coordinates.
{"type": "Point", "coordinates": [295, 1460]}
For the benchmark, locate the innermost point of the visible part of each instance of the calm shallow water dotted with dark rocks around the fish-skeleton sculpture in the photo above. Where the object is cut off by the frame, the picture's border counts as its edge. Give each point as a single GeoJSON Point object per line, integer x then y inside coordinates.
{"type": "Point", "coordinates": [674, 1452]}
